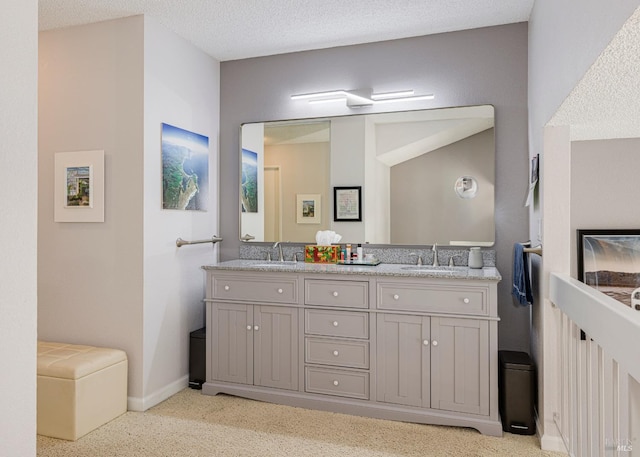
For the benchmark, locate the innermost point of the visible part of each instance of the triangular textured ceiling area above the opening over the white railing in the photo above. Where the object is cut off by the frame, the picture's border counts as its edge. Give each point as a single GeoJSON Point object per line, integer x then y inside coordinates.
{"type": "Point", "coordinates": [605, 104]}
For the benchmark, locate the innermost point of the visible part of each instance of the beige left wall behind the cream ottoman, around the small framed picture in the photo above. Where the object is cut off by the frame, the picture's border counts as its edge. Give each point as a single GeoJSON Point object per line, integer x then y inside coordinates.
{"type": "Point", "coordinates": [90, 275]}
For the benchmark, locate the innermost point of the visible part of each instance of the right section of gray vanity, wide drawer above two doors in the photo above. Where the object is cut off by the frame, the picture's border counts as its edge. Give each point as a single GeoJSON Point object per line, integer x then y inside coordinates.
{"type": "Point", "coordinates": [435, 359]}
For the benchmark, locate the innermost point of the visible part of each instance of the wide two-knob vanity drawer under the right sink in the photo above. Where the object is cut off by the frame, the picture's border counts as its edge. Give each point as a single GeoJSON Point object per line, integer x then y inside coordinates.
{"type": "Point", "coordinates": [454, 299]}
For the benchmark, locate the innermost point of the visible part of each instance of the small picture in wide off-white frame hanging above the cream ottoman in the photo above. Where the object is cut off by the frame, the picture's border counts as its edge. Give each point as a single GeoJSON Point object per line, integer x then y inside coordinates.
{"type": "Point", "coordinates": [79, 186]}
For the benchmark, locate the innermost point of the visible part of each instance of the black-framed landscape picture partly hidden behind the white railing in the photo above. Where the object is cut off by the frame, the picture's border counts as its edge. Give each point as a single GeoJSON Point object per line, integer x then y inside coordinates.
{"type": "Point", "coordinates": [609, 260]}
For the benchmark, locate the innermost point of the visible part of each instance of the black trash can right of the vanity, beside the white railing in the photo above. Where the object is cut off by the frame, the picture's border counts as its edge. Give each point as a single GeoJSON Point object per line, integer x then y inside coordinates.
{"type": "Point", "coordinates": [516, 383]}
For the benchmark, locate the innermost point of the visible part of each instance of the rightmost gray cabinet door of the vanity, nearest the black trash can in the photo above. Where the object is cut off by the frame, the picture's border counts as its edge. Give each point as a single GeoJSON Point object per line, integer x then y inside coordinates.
{"type": "Point", "coordinates": [460, 365]}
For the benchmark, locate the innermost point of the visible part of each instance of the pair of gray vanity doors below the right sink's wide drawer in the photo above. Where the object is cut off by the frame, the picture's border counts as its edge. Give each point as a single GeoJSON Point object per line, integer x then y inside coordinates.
{"type": "Point", "coordinates": [433, 362]}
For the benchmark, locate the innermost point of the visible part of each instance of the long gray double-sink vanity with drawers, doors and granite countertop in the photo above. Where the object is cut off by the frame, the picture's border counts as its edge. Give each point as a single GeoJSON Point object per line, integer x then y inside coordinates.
{"type": "Point", "coordinates": [399, 342]}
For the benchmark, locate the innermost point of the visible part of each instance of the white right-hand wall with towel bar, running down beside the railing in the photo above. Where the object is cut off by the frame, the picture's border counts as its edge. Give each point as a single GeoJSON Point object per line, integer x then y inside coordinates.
{"type": "Point", "coordinates": [560, 52]}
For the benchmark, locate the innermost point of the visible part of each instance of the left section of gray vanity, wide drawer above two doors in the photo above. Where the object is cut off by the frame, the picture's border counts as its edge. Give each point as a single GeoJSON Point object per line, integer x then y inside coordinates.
{"type": "Point", "coordinates": [250, 343]}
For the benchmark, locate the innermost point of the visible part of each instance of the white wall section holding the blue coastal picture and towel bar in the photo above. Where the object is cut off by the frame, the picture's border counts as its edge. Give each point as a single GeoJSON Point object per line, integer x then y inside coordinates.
{"type": "Point", "coordinates": [181, 88]}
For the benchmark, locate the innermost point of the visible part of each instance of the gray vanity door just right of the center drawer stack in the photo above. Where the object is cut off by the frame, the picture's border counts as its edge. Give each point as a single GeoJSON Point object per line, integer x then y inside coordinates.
{"type": "Point", "coordinates": [403, 360]}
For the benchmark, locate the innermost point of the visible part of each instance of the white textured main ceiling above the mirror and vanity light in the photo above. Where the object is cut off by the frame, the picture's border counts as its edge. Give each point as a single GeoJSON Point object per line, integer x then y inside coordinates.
{"type": "Point", "coordinates": [238, 29]}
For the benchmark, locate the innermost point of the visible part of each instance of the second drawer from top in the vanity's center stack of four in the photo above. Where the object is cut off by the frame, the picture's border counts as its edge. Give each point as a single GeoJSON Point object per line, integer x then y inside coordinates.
{"type": "Point", "coordinates": [349, 324]}
